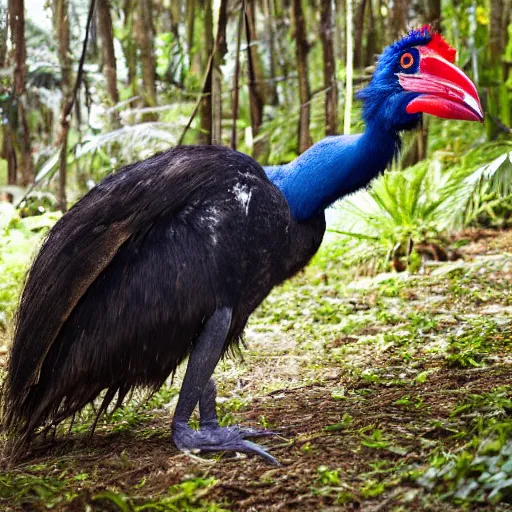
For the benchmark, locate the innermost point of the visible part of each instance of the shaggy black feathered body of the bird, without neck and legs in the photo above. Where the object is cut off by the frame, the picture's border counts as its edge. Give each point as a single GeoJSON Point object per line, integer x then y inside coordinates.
{"type": "Point", "coordinates": [126, 280]}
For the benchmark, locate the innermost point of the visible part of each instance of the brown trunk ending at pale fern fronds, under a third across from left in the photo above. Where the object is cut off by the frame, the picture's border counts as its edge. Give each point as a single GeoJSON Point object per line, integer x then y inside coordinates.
{"type": "Point", "coordinates": [144, 34]}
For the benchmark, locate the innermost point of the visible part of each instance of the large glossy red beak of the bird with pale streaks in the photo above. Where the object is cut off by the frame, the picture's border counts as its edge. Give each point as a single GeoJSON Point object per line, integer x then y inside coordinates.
{"type": "Point", "coordinates": [445, 90]}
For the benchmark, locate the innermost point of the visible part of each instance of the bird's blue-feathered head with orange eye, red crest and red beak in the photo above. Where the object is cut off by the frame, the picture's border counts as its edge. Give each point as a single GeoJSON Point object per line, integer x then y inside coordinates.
{"type": "Point", "coordinates": [417, 75]}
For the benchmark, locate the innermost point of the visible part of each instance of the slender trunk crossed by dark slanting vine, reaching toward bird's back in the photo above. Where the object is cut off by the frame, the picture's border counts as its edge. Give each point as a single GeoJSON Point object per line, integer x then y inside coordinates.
{"type": "Point", "coordinates": [61, 24]}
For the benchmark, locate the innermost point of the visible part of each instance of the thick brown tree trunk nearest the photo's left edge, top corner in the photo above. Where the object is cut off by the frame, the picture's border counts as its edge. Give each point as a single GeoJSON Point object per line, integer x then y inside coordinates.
{"type": "Point", "coordinates": [17, 26]}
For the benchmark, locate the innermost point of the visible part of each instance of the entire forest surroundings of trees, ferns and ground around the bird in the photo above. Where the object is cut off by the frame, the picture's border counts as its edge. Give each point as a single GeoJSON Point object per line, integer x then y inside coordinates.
{"type": "Point", "coordinates": [385, 366]}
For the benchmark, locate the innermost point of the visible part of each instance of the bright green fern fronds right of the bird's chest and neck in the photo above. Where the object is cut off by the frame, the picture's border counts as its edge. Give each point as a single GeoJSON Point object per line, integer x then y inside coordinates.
{"type": "Point", "coordinates": [423, 203]}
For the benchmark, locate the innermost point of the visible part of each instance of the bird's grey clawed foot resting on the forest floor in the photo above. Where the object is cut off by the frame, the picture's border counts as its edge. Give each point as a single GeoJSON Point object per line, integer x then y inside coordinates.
{"type": "Point", "coordinates": [218, 439]}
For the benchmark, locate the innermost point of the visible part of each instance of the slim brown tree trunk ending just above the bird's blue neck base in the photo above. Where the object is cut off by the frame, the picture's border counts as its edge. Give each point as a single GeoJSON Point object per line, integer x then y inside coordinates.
{"type": "Point", "coordinates": [302, 49]}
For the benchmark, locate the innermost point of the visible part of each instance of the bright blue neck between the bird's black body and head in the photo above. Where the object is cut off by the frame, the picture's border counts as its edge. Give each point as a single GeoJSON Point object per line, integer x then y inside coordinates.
{"type": "Point", "coordinates": [333, 168]}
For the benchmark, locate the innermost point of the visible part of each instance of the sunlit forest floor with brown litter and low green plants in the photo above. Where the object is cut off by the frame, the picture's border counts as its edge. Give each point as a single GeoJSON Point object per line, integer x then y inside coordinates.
{"type": "Point", "coordinates": [387, 393]}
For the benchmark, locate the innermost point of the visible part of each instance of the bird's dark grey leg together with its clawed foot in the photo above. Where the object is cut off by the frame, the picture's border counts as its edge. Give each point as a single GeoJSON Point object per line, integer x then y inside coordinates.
{"type": "Point", "coordinates": [202, 362]}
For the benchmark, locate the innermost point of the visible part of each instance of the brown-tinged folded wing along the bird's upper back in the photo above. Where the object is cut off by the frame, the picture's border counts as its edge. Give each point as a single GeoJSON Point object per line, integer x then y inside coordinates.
{"type": "Point", "coordinates": [84, 241]}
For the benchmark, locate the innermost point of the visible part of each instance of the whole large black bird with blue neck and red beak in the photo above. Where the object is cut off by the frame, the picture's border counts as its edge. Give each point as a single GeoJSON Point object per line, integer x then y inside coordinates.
{"type": "Point", "coordinates": [167, 258]}
